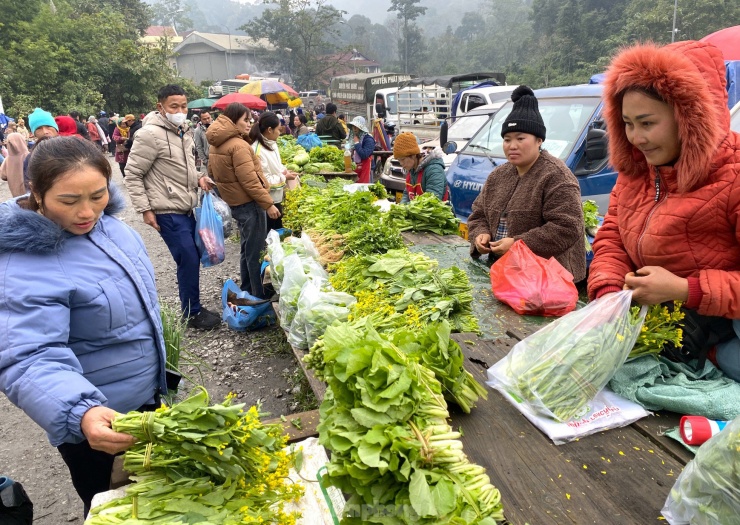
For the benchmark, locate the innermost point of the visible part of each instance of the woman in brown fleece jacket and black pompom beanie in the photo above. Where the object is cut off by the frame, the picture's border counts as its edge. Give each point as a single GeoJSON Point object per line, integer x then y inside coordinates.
{"type": "Point", "coordinates": [533, 197]}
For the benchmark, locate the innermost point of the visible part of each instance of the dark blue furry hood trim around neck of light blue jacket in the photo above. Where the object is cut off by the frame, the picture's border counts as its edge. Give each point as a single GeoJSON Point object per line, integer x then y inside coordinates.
{"type": "Point", "coordinates": [27, 231]}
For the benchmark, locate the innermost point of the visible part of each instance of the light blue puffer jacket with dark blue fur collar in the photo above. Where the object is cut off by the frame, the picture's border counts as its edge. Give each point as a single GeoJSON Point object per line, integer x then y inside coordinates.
{"type": "Point", "coordinates": [79, 319]}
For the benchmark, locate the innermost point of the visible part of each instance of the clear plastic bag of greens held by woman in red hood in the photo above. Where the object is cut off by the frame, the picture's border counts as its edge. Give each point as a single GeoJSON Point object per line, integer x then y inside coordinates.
{"type": "Point", "coordinates": [559, 369]}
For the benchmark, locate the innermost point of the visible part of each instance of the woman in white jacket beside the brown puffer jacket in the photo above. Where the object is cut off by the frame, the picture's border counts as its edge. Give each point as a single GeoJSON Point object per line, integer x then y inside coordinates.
{"type": "Point", "coordinates": [263, 136]}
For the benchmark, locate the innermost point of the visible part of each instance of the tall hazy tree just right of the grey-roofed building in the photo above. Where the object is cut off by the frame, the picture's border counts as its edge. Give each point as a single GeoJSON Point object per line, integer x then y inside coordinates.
{"type": "Point", "coordinates": [303, 32]}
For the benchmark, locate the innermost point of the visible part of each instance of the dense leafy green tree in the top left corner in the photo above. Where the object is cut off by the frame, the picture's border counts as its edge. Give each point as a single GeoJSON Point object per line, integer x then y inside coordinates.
{"type": "Point", "coordinates": [91, 60]}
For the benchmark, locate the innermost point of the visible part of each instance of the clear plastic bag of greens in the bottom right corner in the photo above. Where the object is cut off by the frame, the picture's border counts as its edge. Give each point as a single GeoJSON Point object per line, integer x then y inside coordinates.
{"type": "Point", "coordinates": [708, 490]}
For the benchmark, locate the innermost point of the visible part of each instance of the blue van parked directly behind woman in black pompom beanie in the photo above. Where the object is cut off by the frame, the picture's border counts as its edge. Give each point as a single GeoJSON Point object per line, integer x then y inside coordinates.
{"type": "Point", "coordinates": [575, 134]}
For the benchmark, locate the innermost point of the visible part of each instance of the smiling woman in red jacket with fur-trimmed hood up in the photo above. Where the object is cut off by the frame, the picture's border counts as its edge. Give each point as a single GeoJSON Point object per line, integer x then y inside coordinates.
{"type": "Point", "coordinates": [672, 231]}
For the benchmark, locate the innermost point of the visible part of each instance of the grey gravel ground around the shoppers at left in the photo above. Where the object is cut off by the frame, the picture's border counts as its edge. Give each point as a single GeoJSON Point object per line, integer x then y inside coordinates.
{"type": "Point", "coordinates": [257, 366]}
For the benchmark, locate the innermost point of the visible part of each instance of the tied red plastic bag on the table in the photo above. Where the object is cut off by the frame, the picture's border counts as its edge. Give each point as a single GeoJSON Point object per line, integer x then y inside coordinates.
{"type": "Point", "coordinates": [533, 285]}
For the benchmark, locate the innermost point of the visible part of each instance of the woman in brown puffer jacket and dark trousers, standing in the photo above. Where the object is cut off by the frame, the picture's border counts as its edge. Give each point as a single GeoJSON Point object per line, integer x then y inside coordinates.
{"type": "Point", "coordinates": [242, 184]}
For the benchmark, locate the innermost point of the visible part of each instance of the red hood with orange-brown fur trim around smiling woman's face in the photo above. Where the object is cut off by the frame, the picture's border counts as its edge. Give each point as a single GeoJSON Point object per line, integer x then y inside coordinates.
{"type": "Point", "coordinates": [690, 76]}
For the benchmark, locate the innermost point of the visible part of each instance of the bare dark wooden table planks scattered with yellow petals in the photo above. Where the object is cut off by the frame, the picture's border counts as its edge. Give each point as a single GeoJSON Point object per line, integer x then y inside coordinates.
{"type": "Point", "coordinates": [618, 476]}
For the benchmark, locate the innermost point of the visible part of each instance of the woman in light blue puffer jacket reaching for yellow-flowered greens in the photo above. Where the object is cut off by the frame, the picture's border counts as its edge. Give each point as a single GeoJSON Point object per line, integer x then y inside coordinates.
{"type": "Point", "coordinates": [81, 336]}
